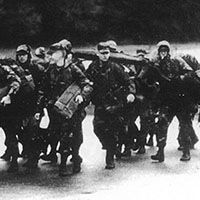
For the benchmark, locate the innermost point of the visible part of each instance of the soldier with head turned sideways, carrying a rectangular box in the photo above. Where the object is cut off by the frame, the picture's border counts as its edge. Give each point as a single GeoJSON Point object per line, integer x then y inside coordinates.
{"type": "Point", "coordinates": [59, 76]}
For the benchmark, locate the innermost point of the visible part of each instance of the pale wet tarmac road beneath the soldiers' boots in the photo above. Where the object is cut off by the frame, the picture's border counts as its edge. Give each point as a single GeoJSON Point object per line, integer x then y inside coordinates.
{"type": "Point", "coordinates": [136, 177]}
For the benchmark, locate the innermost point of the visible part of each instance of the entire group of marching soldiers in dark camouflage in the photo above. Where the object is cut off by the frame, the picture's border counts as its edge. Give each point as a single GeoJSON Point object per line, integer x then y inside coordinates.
{"type": "Point", "coordinates": [43, 103]}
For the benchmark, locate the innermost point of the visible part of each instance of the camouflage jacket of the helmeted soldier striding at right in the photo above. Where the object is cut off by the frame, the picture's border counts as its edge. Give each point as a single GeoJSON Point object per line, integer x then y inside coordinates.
{"type": "Point", "coordinates": [171, 74]}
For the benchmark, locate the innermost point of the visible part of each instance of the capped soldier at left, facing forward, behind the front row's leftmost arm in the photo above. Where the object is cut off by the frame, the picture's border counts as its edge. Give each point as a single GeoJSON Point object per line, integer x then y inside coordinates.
{"type": "Point", "coordinates": [29, 126]}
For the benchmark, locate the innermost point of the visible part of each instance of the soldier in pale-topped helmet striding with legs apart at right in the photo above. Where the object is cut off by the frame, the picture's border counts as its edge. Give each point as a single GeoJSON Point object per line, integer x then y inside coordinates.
{"type": "Point", "coordinates": [174, 100]}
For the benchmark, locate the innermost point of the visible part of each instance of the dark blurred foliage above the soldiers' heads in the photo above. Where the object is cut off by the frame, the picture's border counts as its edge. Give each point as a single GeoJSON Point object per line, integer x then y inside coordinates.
{"type": "Point", "coordinates": [89, 21]}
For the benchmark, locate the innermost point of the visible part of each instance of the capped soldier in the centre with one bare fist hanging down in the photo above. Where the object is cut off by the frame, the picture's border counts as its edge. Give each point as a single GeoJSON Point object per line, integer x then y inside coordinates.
{"type": "Point", "coordinates": [108, 79]}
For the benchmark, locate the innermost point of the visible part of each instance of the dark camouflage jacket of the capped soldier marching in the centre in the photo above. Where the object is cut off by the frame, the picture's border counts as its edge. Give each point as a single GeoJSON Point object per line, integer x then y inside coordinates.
{"type": "Point", "coordinates": [107, 78]}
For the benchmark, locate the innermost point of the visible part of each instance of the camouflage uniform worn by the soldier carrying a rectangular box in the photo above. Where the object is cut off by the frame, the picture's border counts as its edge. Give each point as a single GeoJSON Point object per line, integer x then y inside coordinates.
{"type": "Point", "coordinates": [67, 131]}
